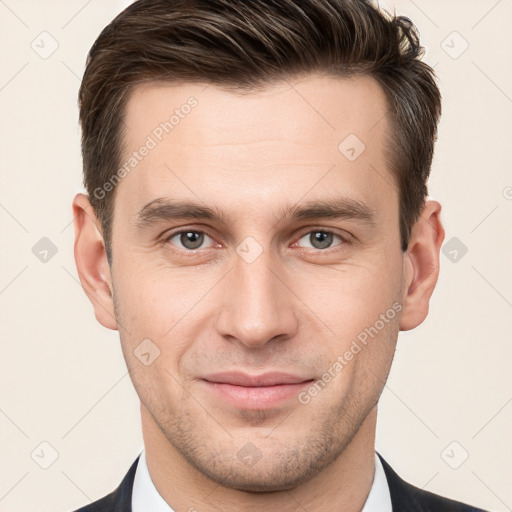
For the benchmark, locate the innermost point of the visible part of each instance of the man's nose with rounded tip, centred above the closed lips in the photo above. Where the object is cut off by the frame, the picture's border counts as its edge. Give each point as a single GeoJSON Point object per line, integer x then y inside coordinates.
{"type": "Point", "coordinates": [257, 305]}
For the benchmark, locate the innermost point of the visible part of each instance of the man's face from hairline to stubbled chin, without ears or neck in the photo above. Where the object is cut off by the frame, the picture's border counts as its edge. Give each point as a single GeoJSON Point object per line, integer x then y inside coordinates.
{"type": "Point", "coordinates": [246, 312]}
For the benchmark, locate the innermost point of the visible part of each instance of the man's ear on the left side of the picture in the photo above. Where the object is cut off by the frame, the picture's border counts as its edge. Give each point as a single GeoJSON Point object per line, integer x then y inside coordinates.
{"type": "Point", "coordinates": [91, 261]}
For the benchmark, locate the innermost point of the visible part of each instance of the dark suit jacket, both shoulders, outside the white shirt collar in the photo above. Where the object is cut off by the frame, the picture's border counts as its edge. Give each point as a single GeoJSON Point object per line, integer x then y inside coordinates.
{"type": "Point", "coordinates": [404, 497]}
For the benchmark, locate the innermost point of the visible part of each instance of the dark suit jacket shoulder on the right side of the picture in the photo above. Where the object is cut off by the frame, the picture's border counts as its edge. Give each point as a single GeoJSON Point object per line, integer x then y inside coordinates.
{"type": "Point", "coordinates": [408, 498]}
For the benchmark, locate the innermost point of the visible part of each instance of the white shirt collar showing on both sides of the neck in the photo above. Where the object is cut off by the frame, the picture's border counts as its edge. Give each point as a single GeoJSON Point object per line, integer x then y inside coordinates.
{"type": "Point", "coordinates": [145, 497]}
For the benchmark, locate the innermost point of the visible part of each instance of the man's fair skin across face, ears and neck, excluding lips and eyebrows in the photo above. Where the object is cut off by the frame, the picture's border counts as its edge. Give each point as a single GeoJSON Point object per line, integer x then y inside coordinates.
{"type": "Point", "coordinates": [295, 308]}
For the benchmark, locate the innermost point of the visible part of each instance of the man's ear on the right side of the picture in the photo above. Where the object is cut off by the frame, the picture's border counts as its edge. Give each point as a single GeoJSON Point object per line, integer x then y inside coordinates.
{"type": "Point", "coordinates": [421, 266]}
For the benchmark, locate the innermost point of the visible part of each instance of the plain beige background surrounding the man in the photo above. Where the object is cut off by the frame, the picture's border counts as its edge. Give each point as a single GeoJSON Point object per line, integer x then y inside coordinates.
{"type": "Point", "coordinates": [63, 378]}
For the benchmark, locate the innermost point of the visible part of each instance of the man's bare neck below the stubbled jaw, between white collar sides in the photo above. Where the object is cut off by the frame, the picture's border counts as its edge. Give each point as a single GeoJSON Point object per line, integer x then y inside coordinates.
{"type": "Point", "coordinates": [343, 485]}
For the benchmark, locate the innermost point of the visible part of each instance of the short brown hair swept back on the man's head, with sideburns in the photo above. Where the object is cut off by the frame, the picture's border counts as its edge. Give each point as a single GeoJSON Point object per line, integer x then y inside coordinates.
{"type": "Point", "coordinates": [243, 44]}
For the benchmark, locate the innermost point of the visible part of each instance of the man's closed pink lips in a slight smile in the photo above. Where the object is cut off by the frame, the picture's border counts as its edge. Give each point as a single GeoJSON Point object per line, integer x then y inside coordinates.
{"type": "Point", "coordinates": [263, 391]}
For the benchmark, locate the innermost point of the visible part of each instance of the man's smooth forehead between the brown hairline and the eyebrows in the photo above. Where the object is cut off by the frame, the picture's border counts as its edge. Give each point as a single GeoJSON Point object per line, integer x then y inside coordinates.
{"type": "Point", "coordinates": [307, 136]}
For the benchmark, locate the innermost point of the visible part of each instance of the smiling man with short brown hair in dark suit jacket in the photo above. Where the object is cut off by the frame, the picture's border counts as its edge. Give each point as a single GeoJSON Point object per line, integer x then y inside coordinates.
{"type": "Point", "coordinates": [258, 230]}
